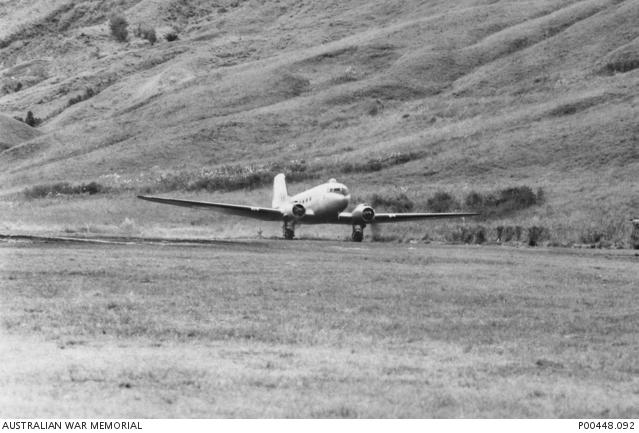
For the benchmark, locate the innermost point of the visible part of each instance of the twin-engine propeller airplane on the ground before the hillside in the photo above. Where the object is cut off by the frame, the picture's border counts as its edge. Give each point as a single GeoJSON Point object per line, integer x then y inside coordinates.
{"type": "Point", "coordinates": [323, 204]}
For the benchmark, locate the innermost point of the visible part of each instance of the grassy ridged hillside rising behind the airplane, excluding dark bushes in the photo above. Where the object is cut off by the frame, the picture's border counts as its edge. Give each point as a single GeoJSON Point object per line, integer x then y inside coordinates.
{"type": "Point", "coordinates": [483, 95]}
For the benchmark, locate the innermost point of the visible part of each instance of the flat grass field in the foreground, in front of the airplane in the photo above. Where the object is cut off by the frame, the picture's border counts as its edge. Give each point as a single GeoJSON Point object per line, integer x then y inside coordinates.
{"type": "Point", "coordinates": [317, 329]}
